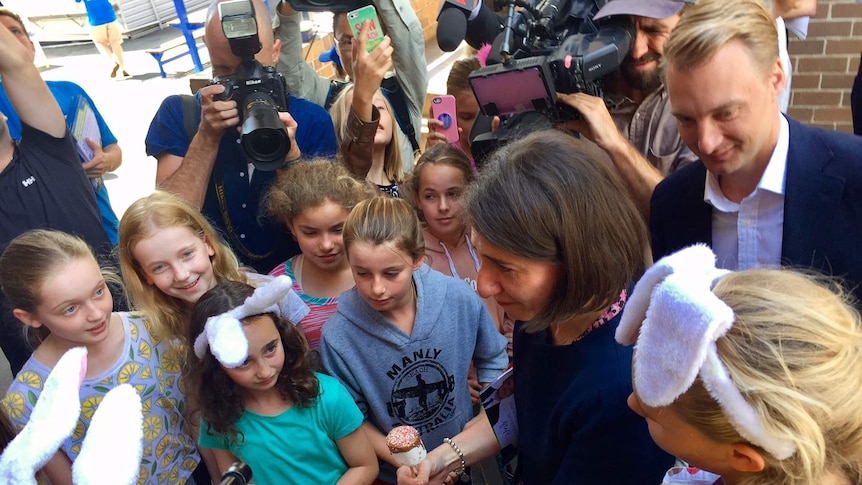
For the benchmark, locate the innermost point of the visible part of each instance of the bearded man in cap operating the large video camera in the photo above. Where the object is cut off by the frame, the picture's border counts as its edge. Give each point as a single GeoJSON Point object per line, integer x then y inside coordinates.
{"type": "Point", "coordinates": [636, 127]}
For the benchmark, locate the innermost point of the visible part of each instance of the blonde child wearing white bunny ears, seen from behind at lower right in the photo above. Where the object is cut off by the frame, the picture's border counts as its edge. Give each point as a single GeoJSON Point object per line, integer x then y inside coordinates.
{"type": "Point", "coordinates": [755, 376]}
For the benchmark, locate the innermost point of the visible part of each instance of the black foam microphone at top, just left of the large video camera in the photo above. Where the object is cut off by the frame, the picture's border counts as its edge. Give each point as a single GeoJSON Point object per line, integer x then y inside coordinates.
{"type": "Point", "coordinates": [466, 19]}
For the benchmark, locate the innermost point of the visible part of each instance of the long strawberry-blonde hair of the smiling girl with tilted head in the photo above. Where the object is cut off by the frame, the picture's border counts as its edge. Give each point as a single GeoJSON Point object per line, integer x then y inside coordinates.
{"type": "Point", "coordinates": [141, 220]}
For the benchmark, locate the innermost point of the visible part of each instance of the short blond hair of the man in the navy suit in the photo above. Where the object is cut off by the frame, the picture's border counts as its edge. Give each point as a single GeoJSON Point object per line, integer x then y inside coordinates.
{"type": "Point", "coordinates": [708, 25]}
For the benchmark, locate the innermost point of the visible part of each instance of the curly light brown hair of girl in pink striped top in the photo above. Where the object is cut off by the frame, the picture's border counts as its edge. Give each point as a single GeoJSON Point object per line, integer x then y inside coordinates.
{"type": "Point", "coordinates": [309, 185]}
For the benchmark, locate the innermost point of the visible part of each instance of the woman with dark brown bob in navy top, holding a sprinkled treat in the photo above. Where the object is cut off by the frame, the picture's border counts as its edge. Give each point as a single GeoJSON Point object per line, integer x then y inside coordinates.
{"type": "Point", "coordinates": [560, 244]}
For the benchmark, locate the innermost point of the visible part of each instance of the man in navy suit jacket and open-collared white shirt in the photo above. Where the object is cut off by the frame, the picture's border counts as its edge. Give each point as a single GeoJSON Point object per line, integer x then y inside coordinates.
{"type": "Point", "coordinates": [767, 190]}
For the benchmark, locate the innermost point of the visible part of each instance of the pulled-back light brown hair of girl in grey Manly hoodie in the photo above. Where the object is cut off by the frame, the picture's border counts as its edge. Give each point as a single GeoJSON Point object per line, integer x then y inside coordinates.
{"type": "Point", "coordinates": [380, 220]}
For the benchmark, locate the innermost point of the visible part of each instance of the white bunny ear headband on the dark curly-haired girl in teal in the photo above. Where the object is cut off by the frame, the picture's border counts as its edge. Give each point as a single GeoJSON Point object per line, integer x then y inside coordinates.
{"type": "Point", "coordinates": [223, 333]}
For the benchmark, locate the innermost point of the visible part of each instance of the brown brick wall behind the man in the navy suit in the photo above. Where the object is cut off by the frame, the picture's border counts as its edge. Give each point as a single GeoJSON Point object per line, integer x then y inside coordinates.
{"type": "Point", "coordinates": [825, 64]}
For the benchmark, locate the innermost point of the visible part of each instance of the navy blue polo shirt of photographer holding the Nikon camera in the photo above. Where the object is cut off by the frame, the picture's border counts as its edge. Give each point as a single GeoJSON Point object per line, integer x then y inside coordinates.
{"type": "Point", "coordinates": [234, 197]}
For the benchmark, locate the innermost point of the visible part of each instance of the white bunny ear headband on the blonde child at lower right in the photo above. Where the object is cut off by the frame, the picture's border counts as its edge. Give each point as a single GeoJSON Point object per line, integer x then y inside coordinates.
{"type": "Point", "coordinates": [679, 320]}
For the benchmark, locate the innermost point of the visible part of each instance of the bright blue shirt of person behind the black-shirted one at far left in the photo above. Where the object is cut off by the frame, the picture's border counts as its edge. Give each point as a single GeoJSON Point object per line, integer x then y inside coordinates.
{"type": "Point", "coordinates": [67, 94]}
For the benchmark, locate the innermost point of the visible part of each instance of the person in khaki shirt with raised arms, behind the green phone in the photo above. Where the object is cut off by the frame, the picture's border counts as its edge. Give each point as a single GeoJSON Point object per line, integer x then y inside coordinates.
{"type": "Point", "coordinates": [405, 90]}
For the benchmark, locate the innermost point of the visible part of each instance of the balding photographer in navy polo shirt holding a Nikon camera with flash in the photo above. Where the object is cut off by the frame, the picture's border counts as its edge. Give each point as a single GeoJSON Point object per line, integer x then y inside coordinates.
{"type": "Point", "coordinates": [209, 168]}
